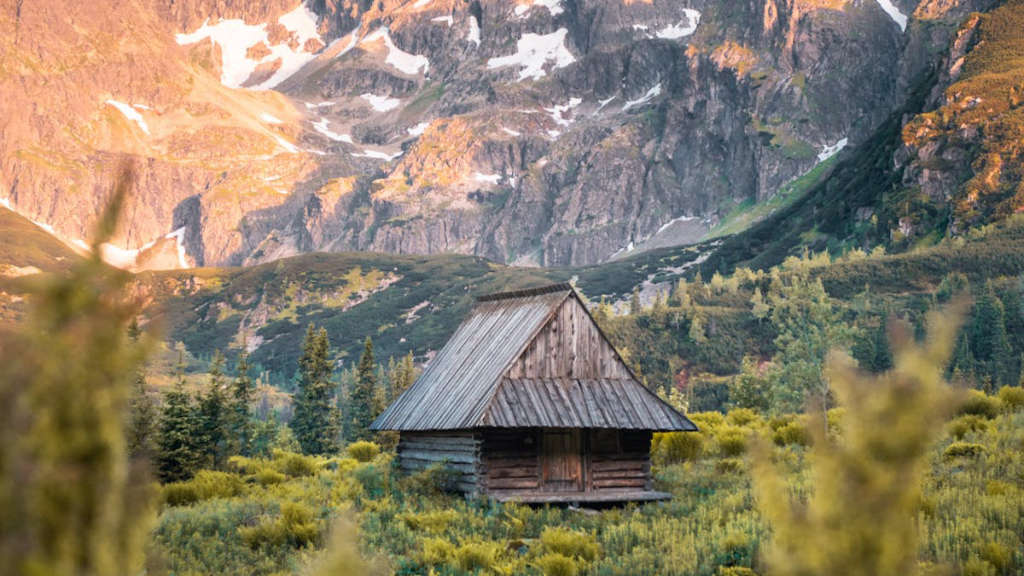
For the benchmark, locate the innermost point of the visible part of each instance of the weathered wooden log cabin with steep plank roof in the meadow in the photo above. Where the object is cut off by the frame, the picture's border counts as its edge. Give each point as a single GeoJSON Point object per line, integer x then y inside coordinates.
{"type": "Point", "coordinates": [530, 401]}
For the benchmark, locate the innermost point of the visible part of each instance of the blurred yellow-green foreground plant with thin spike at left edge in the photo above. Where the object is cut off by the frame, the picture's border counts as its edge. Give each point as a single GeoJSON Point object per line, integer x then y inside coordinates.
{"type": "Point", "coordinates": [73, 504]}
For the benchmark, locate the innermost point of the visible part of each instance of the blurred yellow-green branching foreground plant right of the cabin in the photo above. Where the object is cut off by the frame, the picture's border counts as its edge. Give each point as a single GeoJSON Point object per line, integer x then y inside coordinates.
{"type": "Point", "coordinates": [862, 519]}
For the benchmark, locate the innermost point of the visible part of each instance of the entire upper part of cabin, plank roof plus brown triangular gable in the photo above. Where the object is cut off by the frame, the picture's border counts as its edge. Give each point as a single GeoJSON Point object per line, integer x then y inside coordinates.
{"type": "Point", "coordinates": [528, 359]}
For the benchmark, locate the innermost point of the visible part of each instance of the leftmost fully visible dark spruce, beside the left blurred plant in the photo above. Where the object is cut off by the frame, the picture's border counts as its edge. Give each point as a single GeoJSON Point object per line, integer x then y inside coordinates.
{"type": "Point", "coordinates": [177, 454]}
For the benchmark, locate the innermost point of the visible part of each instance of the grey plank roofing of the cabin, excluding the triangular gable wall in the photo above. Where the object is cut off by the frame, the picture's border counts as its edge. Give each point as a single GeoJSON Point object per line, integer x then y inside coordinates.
{"type": "Point", "coordinates": [464, 386]}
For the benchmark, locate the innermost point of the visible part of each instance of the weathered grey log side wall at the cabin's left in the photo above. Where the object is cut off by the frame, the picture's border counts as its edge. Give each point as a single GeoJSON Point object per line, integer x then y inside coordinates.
{"type": "Point", "coordinates": [459, 451]}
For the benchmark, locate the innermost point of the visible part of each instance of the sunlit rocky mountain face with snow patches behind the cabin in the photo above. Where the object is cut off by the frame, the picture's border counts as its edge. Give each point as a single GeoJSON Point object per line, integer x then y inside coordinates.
{"type": "Point", "coordinates": [542, 133]}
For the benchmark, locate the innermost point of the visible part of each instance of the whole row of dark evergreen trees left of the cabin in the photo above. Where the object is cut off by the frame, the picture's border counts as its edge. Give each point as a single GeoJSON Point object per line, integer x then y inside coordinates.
{"type": "Point", "coordinates": [188, 432]}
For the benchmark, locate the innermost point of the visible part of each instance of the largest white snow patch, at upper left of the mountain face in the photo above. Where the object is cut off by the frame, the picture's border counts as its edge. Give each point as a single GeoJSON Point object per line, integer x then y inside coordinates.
{"type": "Point", "coordinates": [235, 38]}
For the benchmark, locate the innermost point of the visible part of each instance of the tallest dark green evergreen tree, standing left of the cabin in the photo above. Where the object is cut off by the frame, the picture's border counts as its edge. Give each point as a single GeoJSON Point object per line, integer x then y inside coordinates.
{"type": "Point", "coordinates": [316, 422]}
